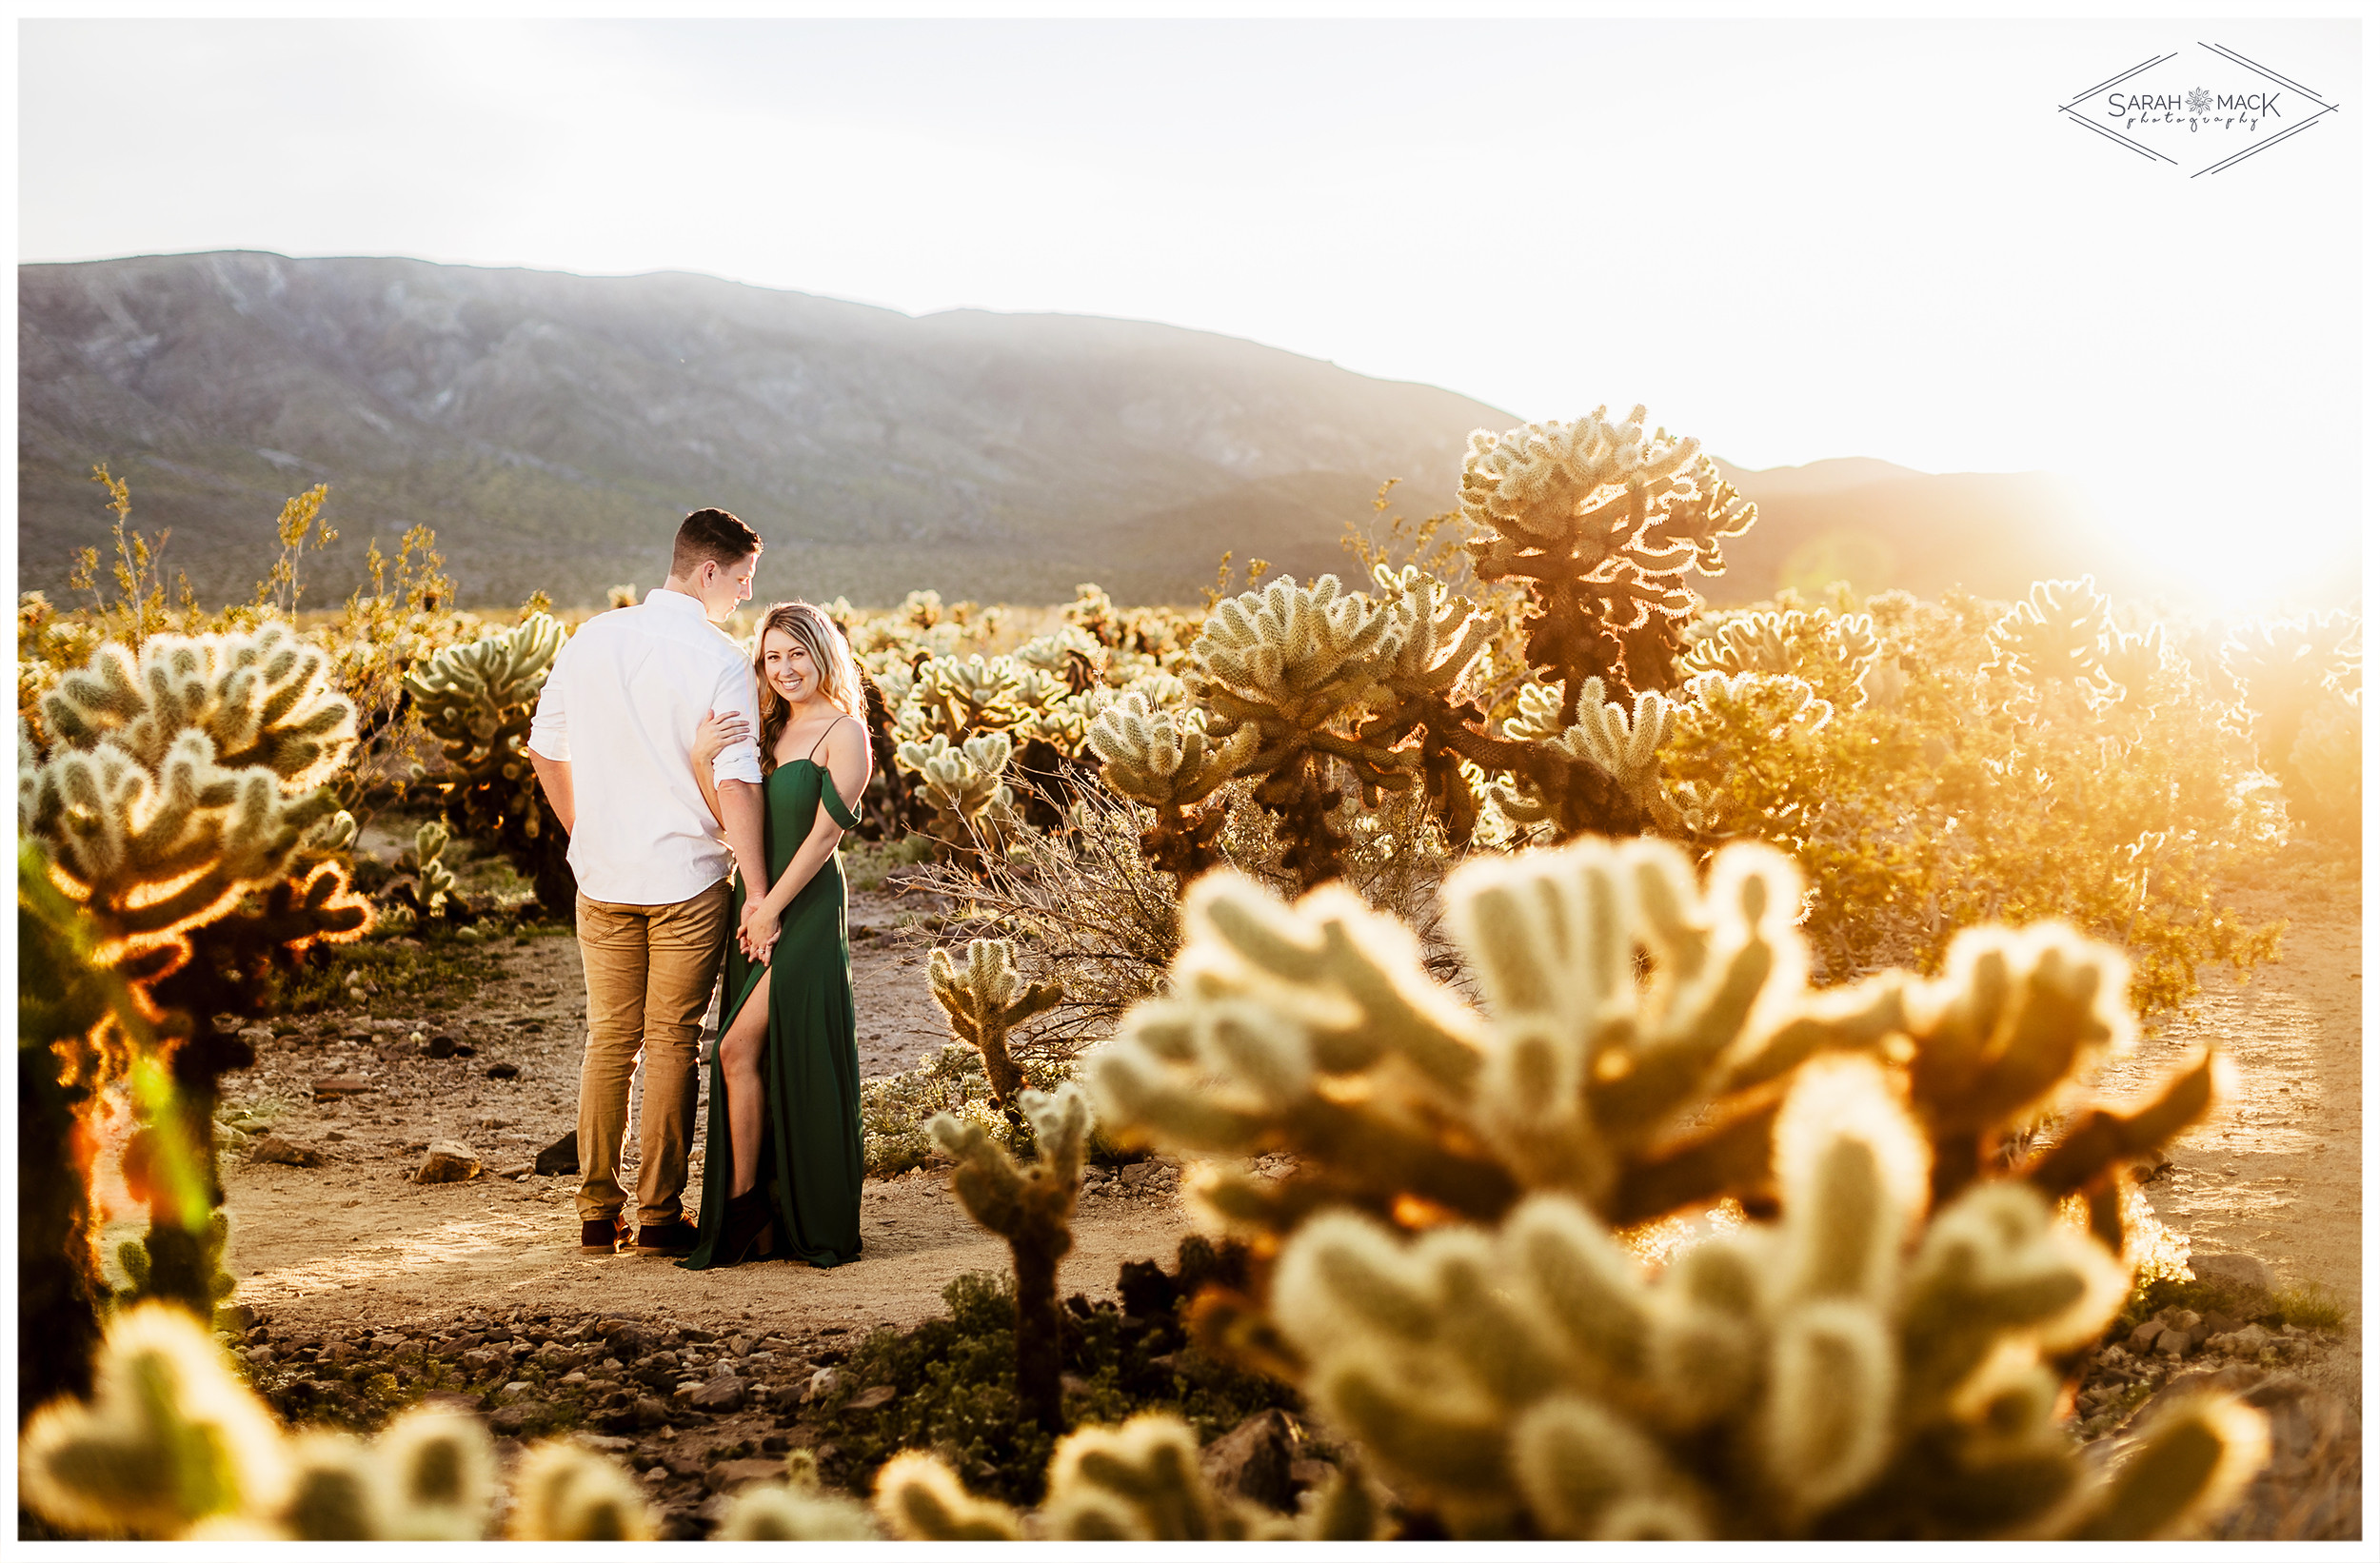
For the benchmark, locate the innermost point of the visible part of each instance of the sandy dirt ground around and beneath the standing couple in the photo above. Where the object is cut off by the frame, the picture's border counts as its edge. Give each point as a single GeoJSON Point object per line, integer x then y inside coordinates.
{"type": "Point", "coordinates": [358, 1243]}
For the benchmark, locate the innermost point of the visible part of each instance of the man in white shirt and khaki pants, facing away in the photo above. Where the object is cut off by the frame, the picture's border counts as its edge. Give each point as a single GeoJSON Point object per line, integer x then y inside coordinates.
{"type": "Point", "coordinates": [613, 746]}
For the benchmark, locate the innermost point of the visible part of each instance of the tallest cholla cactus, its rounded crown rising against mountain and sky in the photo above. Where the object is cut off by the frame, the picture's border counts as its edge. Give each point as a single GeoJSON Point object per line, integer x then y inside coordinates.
{"type": "Point", "coordinates": [1601, 522]}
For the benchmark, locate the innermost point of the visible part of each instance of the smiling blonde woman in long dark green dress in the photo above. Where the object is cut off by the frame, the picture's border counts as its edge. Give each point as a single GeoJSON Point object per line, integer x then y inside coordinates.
{"type": "Point", "coordinates": [784, 1160]}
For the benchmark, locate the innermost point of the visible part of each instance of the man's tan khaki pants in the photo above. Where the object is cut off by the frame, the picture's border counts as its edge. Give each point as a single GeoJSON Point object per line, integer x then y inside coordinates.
{"type": "Point", "coordinates": [651, 974]}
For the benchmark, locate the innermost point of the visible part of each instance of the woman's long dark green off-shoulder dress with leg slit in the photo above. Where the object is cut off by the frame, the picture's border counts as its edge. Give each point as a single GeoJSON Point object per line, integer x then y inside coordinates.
{"type": "Point", "coordinates": [810, 1155]}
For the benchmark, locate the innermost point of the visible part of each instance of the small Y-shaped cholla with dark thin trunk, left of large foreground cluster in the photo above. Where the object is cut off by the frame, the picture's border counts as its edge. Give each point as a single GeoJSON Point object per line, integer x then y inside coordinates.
{"type": "Point", "coordinates": [1032, 1210]}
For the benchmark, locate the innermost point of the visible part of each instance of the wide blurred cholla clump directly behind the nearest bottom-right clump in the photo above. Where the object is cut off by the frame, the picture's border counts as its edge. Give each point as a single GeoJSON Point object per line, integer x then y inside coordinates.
{"type": "Point", "coordinates": [1313, 1029]}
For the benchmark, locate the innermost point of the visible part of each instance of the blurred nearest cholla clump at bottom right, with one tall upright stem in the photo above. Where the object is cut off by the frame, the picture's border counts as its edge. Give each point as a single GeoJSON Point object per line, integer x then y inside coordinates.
{"type": "Point", "coordinates": [1853, 1371]}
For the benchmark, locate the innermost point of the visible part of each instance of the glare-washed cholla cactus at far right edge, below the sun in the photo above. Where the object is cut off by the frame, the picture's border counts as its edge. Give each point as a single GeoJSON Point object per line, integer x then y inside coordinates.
{"type": "Point", "coordinates": [2288, 670]}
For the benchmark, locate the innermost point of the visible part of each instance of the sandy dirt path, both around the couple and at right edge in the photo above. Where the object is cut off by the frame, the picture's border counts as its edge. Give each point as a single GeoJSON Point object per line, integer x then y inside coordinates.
{"type": "Point", "coordinates": [2276, 1172]}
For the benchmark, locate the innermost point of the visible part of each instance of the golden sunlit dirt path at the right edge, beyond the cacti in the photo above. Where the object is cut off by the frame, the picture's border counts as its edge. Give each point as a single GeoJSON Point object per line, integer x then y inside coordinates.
{"type": "Point", "coordinates": [2279, 1167]}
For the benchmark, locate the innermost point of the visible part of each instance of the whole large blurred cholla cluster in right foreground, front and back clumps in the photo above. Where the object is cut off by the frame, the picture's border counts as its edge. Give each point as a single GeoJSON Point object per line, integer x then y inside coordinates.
{"type": "Point", "coordinates": [1643, 1048]}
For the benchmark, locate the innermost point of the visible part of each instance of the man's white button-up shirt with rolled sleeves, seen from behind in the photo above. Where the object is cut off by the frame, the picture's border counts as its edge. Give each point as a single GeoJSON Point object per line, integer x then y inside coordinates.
{"type": "Point", "coordinates": [622, 708]}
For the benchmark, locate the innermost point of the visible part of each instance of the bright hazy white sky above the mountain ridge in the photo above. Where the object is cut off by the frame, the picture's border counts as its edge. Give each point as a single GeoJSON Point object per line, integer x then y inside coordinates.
{"type": "Point", "coordinates": [1796, 239]}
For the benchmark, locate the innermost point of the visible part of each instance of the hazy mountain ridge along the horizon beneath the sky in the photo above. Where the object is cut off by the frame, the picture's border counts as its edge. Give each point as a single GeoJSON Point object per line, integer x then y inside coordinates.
{"type": "Point", "coordinates": [553, 427]}
